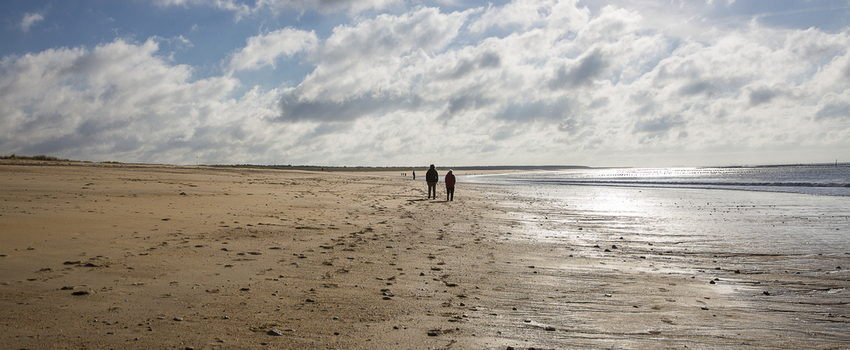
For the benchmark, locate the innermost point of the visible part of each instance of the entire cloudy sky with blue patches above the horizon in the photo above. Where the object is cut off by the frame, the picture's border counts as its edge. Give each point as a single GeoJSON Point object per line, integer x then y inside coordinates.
{"type": "Point", "coordinates": [410, 83]}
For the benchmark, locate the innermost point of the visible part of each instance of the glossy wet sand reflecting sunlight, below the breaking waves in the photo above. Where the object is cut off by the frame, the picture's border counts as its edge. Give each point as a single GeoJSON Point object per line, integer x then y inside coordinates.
{"type": "Point", "coordinates": [758, 265]}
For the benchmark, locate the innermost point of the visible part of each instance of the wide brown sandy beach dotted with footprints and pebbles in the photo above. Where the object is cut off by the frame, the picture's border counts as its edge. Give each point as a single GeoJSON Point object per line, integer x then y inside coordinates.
{"type": "Point", "coordinates": [121, 256]}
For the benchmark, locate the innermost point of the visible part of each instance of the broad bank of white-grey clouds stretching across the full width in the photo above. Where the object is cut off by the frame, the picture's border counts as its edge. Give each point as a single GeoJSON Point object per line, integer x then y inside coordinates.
{"type": "Point", "coordinates": [531, 81]}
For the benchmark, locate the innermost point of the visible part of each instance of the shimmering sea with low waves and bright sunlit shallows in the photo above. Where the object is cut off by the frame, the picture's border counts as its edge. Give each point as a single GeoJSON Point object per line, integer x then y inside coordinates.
{"type": "Point", "coordinates": [798, 211]}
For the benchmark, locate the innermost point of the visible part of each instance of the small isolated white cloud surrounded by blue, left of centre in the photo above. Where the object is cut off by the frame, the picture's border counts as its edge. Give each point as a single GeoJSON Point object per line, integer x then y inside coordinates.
{"type": "Point", "coordinates": [263, 50]}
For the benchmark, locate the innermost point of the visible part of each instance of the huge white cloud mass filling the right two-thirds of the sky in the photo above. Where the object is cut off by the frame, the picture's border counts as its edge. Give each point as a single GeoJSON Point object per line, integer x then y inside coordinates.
{"type": "Point", "coordinates": [544, 82]}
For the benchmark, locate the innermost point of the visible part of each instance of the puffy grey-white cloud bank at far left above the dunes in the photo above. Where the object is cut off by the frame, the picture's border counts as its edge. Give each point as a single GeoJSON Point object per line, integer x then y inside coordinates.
{"type": "Point", "coordinates": [118, 100]}
